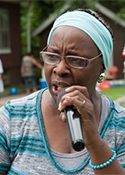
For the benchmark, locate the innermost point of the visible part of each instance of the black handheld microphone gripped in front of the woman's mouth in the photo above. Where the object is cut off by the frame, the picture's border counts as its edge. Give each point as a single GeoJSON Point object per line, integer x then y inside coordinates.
{"type": "Point", "coordinates": [74, 124]}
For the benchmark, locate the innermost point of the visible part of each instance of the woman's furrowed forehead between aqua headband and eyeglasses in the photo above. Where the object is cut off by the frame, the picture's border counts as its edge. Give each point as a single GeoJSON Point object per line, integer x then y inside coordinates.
{"type": "Point", "coordinates": [66, 36]}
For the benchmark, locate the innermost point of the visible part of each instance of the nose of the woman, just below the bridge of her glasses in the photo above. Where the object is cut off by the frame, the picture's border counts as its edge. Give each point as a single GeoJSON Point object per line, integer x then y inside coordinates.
{"type": "Point", "coordinates": [62, 69]}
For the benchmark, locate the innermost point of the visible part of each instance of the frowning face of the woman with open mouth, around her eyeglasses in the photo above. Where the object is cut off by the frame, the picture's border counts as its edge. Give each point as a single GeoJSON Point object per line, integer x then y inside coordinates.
{"type": "Point", "coordinates": [72, 41]}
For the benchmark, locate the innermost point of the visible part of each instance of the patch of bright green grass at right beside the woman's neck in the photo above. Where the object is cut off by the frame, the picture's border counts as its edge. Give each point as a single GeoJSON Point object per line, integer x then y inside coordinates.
{"type": "Point", "coordinates": [114, 92]}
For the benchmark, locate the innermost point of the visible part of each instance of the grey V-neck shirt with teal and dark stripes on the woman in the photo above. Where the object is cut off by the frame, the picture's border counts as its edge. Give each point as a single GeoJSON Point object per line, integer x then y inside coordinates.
{"type": "Point", "coordinates": [24, 147]}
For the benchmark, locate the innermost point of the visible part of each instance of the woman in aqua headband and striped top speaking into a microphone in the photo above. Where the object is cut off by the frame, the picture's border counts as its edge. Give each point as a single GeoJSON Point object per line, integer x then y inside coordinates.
{"type": "Point", "coordinates": [34, 133]}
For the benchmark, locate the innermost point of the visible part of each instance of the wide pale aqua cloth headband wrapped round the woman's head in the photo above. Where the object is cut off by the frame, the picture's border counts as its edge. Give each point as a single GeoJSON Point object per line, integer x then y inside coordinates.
{"type": "Point", "coordinates": [92, 26]}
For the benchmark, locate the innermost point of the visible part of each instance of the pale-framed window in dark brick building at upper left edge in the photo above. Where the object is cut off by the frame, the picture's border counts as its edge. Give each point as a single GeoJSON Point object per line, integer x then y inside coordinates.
{"type": "Point", "coordinates": [4, 32]}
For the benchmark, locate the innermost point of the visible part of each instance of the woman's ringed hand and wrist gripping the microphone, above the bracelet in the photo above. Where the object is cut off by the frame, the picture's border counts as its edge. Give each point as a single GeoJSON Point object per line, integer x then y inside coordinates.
{"type": "Point", "coordinates": [78, 96]}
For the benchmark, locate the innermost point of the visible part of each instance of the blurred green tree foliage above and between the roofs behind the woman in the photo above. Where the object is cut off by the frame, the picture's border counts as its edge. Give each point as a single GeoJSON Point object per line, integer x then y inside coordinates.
{"type": "Point", "coordinates": [42, 9]}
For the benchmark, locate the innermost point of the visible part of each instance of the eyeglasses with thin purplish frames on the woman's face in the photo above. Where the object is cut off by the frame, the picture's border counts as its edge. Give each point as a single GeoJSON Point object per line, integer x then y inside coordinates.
{"type": "Point", "coordinates": [72, 61]}
